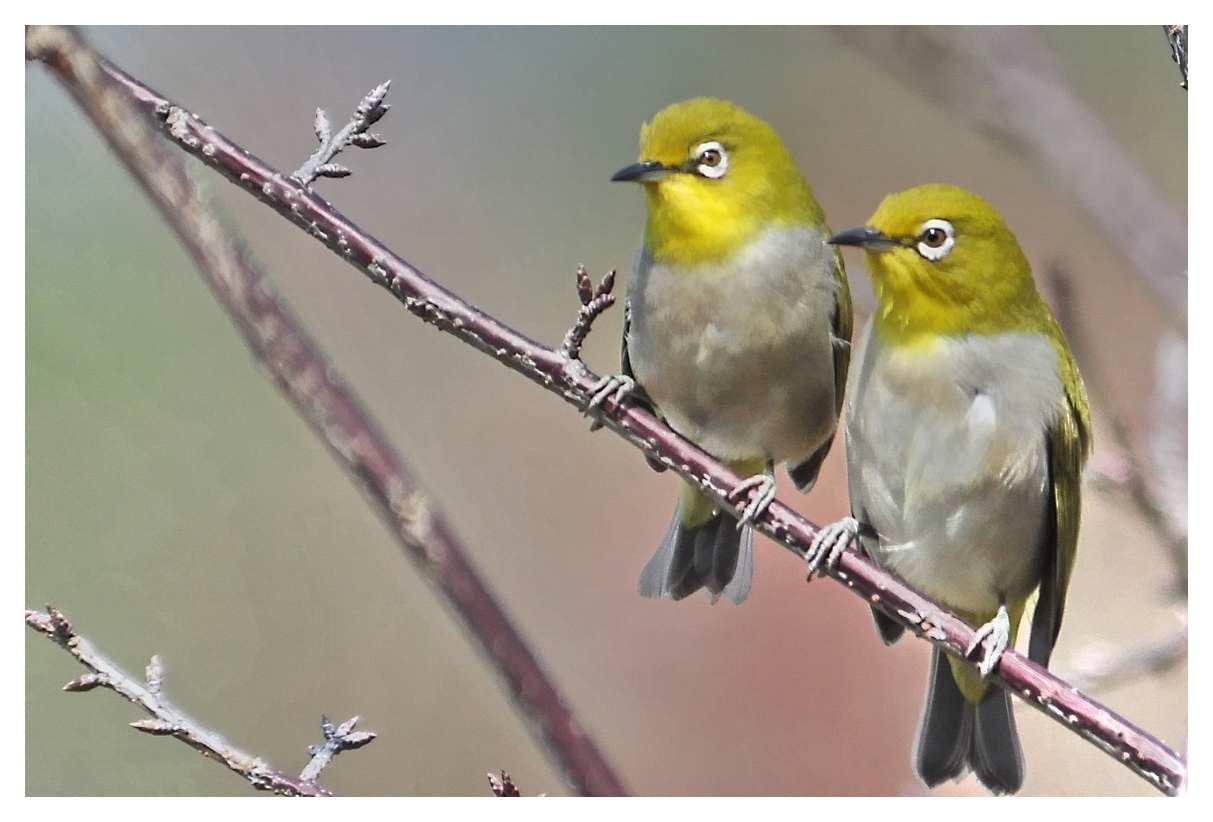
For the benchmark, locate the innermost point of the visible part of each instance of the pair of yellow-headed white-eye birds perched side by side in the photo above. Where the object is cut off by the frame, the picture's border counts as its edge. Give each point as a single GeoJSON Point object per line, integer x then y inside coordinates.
{"type": "Point", "coordinates": [967, 425]}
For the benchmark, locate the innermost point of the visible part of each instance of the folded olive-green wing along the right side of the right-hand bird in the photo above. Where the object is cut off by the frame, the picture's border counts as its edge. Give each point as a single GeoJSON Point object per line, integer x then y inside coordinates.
{"type": "Point", "coordinates": [1069, 443]}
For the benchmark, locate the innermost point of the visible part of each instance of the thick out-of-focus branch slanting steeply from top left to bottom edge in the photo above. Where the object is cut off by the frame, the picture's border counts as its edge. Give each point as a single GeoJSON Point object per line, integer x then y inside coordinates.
{"type": "Point", "coordinates": [314, 387]}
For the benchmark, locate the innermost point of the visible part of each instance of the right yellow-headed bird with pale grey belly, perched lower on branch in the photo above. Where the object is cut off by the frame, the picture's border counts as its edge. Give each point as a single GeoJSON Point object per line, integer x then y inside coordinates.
{"type": "Point", "coordinates": [967, 432]}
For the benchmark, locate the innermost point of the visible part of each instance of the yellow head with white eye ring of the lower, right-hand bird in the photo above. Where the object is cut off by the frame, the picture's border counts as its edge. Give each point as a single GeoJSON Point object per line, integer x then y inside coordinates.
{"type": "Point", "coordinates": [943, 262]}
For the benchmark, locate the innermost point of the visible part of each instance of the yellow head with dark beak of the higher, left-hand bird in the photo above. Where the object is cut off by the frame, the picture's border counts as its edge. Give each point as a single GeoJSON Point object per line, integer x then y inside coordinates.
{"type": "Point", "coordinates": [716, 178]}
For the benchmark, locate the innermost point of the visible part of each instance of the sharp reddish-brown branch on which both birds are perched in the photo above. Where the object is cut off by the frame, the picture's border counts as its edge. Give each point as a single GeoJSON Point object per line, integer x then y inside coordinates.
{"type": "Point", "coordinates": [571, 380]}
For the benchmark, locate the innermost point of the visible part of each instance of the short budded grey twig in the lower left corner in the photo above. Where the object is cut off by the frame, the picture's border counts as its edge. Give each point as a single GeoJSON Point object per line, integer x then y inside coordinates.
{"type": "Point", "coordinates": [167, 720]}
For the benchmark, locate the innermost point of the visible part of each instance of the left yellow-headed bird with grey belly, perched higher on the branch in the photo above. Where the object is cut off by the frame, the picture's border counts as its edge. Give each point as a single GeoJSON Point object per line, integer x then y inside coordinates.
{"type": "Point", "coordinates": [737, 328]}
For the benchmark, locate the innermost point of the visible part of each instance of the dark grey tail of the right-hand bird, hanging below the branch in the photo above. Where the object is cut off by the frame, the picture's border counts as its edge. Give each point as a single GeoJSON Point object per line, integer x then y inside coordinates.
{"type": "Point", "coordinates": [958, 735]}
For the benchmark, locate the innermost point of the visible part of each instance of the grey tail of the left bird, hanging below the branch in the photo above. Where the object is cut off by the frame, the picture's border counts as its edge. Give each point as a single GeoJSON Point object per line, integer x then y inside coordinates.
{"type": "Point", "coordinates": [716, 556]}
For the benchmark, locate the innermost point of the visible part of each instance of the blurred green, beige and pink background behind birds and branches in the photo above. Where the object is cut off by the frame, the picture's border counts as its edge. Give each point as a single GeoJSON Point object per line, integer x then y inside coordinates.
{"type": "Point", "coordinates": [178, 506]}
